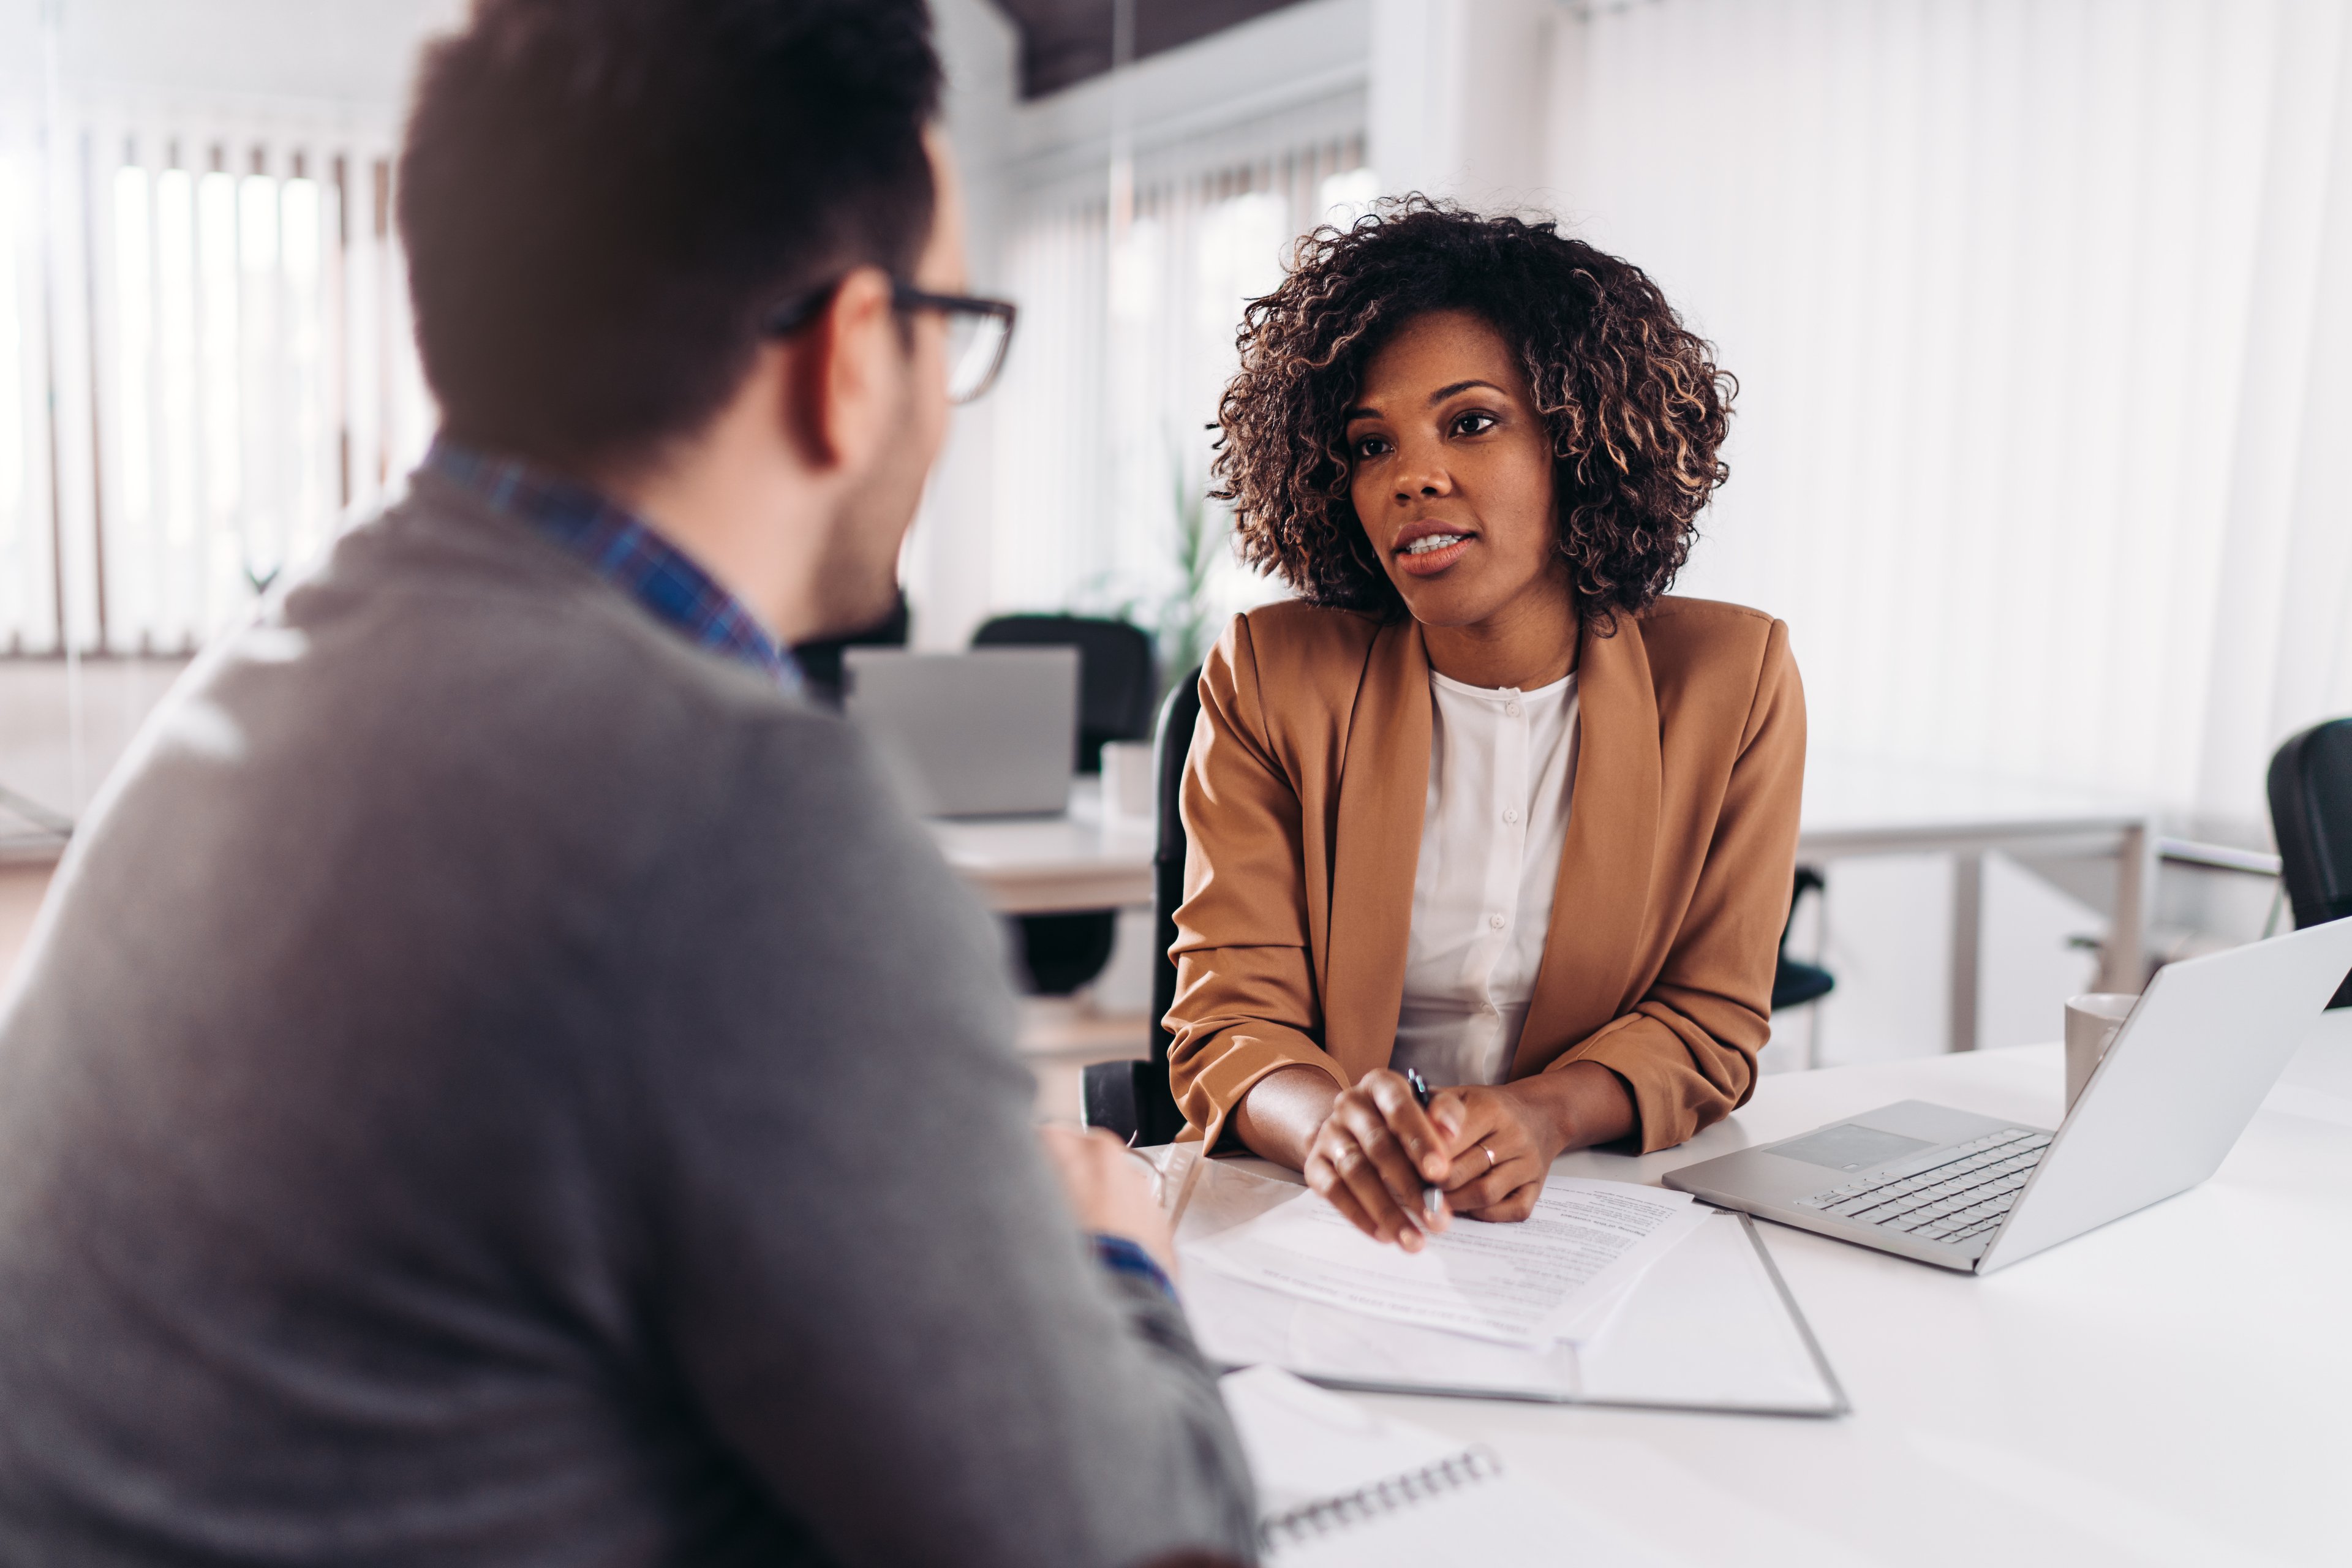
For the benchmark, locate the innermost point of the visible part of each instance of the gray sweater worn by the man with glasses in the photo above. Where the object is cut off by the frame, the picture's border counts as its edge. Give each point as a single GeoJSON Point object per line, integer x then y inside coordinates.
{"type": "Point", "coordinates": [500, 1085]}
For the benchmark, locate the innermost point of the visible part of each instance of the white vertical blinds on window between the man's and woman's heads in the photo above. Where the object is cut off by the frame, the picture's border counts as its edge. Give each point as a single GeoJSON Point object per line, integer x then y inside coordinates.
{"type": "Point", "coordinates": [1125, 344]}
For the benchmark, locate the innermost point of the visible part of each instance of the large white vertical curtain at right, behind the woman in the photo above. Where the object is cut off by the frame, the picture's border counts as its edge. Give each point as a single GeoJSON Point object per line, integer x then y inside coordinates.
{"type": "Point", "coordinates": [2040, 314]}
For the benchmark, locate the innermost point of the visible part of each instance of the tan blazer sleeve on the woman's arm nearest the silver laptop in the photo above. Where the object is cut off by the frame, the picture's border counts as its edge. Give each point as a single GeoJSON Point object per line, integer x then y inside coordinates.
{"type": "Point", "coordinates": [1688, 1050]}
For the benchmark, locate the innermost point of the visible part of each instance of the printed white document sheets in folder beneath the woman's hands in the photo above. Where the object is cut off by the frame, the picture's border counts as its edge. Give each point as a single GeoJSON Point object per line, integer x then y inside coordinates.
{"type": "Point", "coordinates": [1521, 1285]}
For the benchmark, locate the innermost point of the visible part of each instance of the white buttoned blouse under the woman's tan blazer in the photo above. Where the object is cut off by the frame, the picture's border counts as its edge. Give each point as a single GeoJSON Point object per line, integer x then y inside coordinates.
{"type": "Point", "coordinates": [1497, 817]}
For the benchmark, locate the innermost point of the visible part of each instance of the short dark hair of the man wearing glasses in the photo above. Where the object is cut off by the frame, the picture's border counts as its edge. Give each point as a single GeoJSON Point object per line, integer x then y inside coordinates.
{"type": "Point", "coordinates": [603, 199]}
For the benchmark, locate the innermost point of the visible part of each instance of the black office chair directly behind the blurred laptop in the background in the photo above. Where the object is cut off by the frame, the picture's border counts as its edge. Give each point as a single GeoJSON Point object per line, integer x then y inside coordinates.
{"type": "Point", "coordinates": [1116, 676]}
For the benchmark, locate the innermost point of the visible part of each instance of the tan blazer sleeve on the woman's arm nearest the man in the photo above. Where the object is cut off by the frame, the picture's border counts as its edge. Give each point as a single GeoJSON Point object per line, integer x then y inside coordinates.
{"type": "Point", "coordinates": [1245, 967]}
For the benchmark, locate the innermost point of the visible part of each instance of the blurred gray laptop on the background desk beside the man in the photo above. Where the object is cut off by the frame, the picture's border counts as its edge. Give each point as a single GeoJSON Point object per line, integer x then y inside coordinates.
{"type": "Point", "coordinates": [970, 735]}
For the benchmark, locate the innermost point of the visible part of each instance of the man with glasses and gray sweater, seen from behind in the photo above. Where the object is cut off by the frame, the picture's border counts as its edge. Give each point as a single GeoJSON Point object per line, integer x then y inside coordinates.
{"type": "Point", "coordinates": [497, 1080]}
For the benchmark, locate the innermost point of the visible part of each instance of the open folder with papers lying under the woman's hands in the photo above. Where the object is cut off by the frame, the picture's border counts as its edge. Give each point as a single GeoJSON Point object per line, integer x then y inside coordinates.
{"type": "Point", "coordinates": [1608, 1294]}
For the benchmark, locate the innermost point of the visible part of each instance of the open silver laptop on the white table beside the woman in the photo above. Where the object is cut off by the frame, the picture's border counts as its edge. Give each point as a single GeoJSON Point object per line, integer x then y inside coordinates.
{"type": "Point", "coordinates": [1975, 1193]}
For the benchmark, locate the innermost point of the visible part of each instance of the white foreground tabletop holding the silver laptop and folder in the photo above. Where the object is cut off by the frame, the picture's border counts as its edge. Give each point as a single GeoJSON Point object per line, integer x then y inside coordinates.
{"type": "Point", "coordinates": [2174, 1388]}
